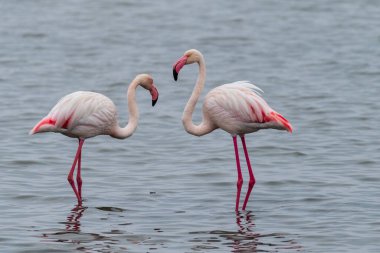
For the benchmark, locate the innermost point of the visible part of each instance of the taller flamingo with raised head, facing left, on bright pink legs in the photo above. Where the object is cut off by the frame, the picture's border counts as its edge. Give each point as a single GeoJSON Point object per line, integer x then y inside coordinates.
{"type": "Point", "coordinates": [237, 108]}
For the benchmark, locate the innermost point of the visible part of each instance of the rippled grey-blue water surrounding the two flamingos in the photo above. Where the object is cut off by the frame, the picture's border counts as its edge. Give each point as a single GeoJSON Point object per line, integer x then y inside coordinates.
{"type": "Point", "coordinates": [163, 190]}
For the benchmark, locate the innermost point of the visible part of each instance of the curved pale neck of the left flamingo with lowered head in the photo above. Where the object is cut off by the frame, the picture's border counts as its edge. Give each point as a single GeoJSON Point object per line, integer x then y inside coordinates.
{"type": "Point", "coordinates": [129, 129]}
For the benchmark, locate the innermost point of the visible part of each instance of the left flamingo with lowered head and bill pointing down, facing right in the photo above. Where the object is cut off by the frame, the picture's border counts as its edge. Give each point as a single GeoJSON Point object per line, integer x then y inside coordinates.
{"type": "Point", "coordinates": [85, 114]}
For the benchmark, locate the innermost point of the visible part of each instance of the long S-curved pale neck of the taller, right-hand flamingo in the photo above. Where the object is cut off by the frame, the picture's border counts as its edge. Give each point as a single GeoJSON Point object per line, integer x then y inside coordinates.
{"type": "Point", "coordinates": [203, 127]}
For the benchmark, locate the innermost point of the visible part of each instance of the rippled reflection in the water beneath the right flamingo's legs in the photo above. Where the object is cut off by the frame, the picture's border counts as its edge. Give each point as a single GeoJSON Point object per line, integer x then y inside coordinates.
{"type": "Point", "coordinates": [244, 239]}
